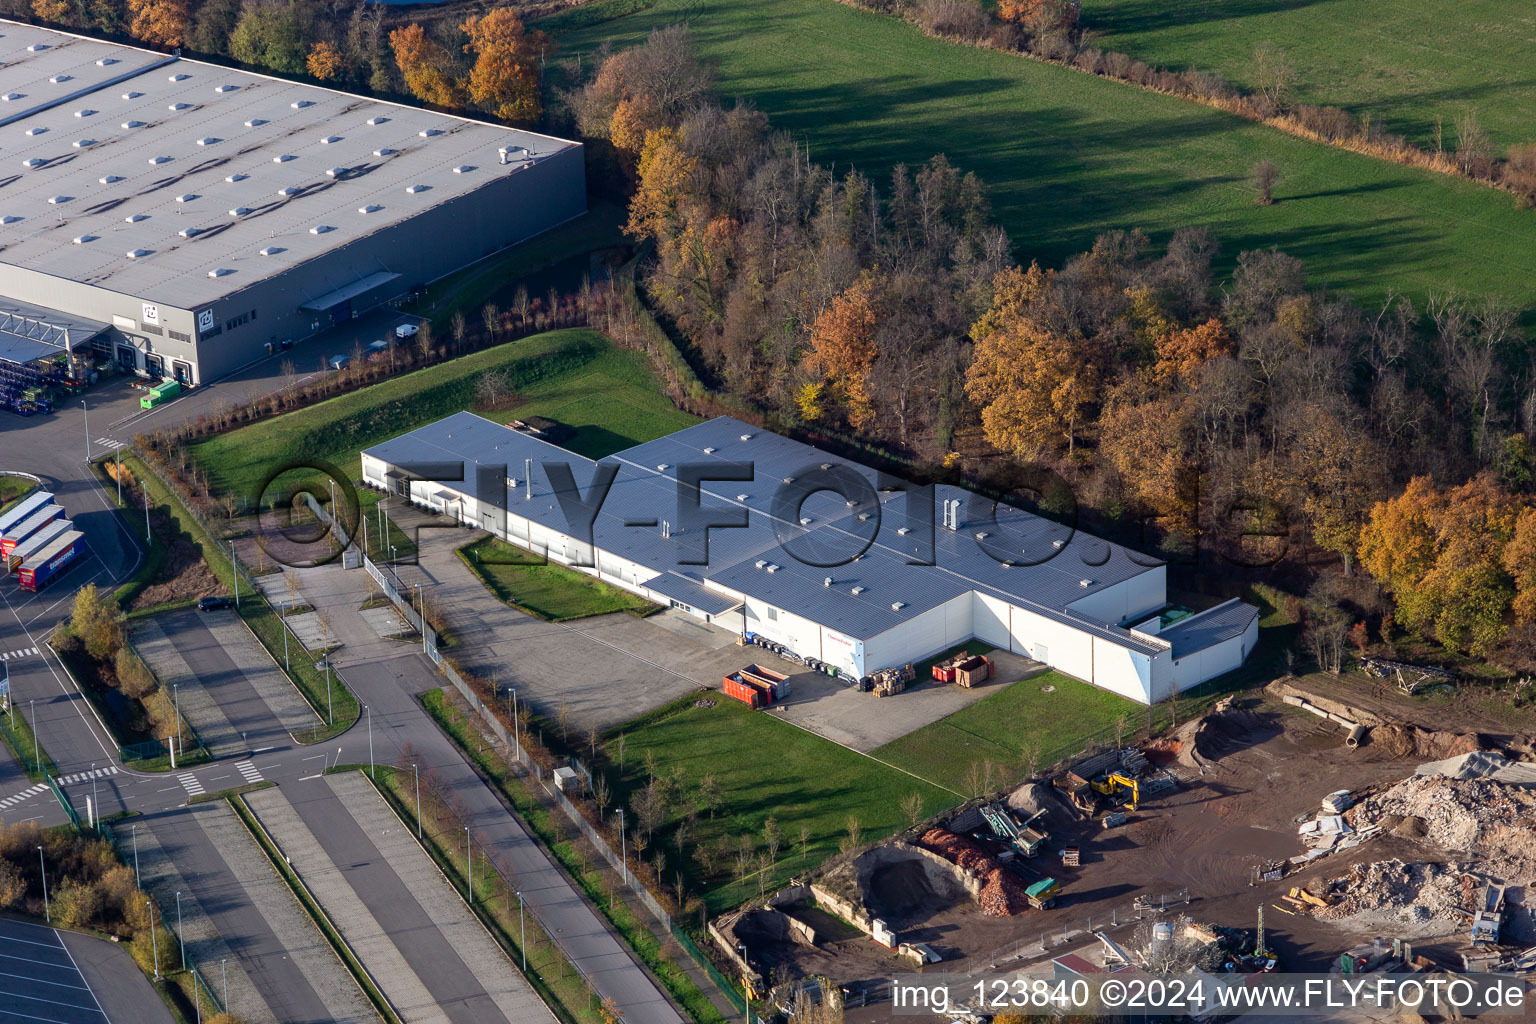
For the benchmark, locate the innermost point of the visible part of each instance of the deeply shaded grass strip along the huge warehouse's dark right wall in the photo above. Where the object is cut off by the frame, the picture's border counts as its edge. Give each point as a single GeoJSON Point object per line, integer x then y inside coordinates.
{"type": "Point", "coordinates": [495, 279]}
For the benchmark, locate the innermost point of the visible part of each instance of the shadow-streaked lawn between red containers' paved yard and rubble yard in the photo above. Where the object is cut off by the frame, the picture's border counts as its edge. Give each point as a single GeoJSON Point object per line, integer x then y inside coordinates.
{"type": "Point", "coordinates": [764, 768]}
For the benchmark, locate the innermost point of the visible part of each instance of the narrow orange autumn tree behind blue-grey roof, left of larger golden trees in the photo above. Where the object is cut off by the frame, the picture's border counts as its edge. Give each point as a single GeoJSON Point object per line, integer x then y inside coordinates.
{"type": "Point", "coordinates": [844, 351]}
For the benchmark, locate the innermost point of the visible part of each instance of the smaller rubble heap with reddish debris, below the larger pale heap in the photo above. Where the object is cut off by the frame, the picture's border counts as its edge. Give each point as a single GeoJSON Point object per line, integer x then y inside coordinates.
{"type": "Point", "coordinates": [1418, 899]}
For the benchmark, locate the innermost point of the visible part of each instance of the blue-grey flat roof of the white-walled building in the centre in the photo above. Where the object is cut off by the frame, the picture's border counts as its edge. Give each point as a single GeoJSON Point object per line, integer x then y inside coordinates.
{"type": "Point", "coordinates": [893, 590]}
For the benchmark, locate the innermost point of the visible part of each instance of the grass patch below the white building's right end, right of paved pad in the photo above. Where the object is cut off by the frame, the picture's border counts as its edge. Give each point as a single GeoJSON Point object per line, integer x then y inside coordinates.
{"type": "Point", "coordinates": [998, 730]}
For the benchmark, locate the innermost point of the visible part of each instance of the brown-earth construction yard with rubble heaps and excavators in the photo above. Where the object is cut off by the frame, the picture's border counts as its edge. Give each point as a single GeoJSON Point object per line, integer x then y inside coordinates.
{"type": "Point", "coordinates": [1286, 830]}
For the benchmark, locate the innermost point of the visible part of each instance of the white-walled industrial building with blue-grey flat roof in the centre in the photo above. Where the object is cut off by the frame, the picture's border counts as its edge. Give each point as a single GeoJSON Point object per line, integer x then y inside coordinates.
{"type": "Point", "coordinates": [1021, 583]}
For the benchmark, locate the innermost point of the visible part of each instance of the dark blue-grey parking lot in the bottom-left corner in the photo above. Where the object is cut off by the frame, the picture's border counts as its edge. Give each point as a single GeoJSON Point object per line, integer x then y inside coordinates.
{"type": "Point", "coordinates": [42, 980]}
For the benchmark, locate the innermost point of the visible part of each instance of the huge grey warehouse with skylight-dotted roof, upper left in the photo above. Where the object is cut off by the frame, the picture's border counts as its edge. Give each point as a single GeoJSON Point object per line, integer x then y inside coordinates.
{"type": "Point", "coordinates": [184, 219]}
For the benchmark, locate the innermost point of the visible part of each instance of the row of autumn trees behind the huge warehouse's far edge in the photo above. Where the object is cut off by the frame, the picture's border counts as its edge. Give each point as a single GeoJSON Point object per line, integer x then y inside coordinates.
{"type": "Point", "coordinates": [488, 62]}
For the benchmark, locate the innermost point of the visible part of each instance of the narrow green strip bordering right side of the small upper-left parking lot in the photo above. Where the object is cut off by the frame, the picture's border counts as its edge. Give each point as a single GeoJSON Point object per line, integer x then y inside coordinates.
{"type": "Point", "coordinates": [259, 615]}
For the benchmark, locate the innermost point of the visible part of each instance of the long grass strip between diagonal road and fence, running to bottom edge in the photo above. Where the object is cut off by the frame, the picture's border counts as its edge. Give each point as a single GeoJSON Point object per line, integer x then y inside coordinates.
{"type": "Point", "coordinates": [549, 827]}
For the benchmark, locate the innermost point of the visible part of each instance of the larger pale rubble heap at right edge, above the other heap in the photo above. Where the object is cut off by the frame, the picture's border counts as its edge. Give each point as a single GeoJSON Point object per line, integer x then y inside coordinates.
{"type": "Point", "coordinates": [1457, 814]}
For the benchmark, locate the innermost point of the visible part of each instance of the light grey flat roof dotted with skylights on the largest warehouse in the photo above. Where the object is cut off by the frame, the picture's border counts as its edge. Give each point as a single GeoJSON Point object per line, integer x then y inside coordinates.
{"type": "Point", "coordinates": [128, 165]}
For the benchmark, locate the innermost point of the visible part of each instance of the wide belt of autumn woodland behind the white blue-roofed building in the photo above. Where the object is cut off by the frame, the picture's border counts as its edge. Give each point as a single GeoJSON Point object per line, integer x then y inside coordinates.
{"type": "Point", "coordinates": [1240, 409]}
